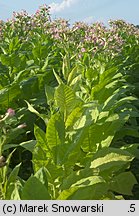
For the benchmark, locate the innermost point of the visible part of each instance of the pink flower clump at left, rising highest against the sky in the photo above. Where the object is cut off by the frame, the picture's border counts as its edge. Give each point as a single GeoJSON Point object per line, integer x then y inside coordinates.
{"type": "Point", "coordinates": [22, 24]}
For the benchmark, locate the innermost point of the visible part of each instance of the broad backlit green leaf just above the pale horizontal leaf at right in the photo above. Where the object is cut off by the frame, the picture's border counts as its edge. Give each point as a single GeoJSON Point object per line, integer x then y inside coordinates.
{"type": "Point", "coordinates": [103, 131]}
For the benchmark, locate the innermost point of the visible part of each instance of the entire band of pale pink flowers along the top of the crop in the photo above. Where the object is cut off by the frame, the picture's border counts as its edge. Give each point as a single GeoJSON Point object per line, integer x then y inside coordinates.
{"type": "Point", "coordinates": [93, 38]}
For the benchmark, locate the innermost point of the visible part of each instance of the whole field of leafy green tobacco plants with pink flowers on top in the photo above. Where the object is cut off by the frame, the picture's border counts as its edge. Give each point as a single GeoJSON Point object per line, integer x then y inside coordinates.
{"type": "Point", "coordinates": [69, 109]}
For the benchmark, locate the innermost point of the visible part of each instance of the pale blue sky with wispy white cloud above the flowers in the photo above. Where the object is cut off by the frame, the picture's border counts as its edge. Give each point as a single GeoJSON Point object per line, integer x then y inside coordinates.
{"type": "Point", "coordinates": [77, 10]}
